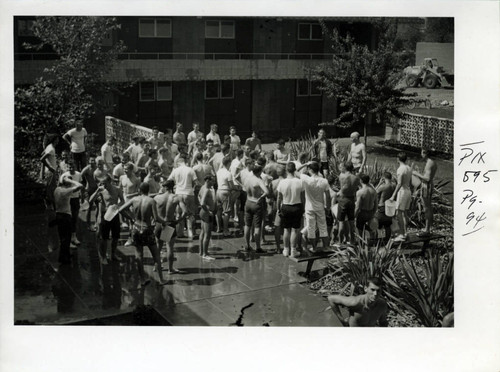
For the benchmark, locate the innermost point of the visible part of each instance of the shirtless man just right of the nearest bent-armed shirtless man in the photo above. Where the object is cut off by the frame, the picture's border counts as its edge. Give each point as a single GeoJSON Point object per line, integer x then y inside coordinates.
{"type": "Point", "coordinates": [167, 203]}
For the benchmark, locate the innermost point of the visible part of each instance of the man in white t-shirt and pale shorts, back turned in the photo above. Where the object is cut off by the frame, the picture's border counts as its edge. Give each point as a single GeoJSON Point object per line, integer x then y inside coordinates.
{"type": "Point", "coordinates": [317, 191]}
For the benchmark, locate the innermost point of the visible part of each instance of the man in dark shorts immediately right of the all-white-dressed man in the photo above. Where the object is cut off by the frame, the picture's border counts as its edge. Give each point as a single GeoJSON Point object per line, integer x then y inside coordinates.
{"type": "Point", "coordinates": [349, 184]}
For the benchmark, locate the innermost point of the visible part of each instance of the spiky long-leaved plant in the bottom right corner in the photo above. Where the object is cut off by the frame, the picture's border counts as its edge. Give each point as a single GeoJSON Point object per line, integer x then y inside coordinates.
{"type": "Point", "coordinates": [430, 296]}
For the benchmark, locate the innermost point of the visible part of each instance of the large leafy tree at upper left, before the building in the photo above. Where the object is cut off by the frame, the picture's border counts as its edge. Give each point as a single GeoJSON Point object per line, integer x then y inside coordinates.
{"type": "Point", "coordinates": [74, 85]}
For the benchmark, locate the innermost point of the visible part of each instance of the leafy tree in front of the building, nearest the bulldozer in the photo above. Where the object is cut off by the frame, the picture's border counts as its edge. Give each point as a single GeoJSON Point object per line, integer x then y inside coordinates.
{"type": "Point", "coordinates": [364, 81]}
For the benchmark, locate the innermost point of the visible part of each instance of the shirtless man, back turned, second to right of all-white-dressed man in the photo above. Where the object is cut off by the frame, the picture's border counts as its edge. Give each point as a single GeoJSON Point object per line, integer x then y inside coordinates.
{"type": "Point", "coordinates": [366, 204]}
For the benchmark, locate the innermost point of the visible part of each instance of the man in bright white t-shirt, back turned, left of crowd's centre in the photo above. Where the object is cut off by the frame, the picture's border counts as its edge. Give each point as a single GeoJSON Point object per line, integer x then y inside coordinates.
{"type": "Point", "coordinates": [185, 180]}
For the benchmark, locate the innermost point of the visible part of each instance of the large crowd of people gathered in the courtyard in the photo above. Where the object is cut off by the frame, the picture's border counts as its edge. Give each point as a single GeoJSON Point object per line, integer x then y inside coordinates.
{"type": "Point", "coordinates": [162, 187]}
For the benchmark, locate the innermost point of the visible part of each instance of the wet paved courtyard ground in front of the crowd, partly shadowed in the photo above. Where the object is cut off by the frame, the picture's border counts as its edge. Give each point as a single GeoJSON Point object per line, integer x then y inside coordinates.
{"type": "Point", "coordinates": [236, 288]}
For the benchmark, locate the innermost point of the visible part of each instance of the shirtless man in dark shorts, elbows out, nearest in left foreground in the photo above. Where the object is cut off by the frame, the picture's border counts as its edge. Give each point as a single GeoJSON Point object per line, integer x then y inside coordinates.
{"type": "Point", "coordinates": [145, 216]}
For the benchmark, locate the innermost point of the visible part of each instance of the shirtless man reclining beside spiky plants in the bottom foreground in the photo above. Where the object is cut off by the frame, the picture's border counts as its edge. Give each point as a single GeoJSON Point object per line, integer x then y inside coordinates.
{"type": "Point", "coordinates": [366, 310]}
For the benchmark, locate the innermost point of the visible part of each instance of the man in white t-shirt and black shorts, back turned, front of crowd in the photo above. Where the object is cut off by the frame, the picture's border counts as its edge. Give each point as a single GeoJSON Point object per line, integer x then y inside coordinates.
{"type": "Point", "coordinates": [291, 208]}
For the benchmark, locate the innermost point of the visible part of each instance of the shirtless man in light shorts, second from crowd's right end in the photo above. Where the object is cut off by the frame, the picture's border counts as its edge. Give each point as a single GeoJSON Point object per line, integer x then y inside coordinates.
{"type": "Point", "coordinates": [402, 195]}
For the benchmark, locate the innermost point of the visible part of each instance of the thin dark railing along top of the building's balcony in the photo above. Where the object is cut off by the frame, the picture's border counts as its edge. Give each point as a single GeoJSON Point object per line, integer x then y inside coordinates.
{"type": "Point", "coordinates": [187, 56]}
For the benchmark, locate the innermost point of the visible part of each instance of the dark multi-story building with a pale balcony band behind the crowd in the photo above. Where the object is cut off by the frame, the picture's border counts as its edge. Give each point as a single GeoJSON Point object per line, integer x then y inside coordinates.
{"type": "Point", "coordinates": [251, 72]}
